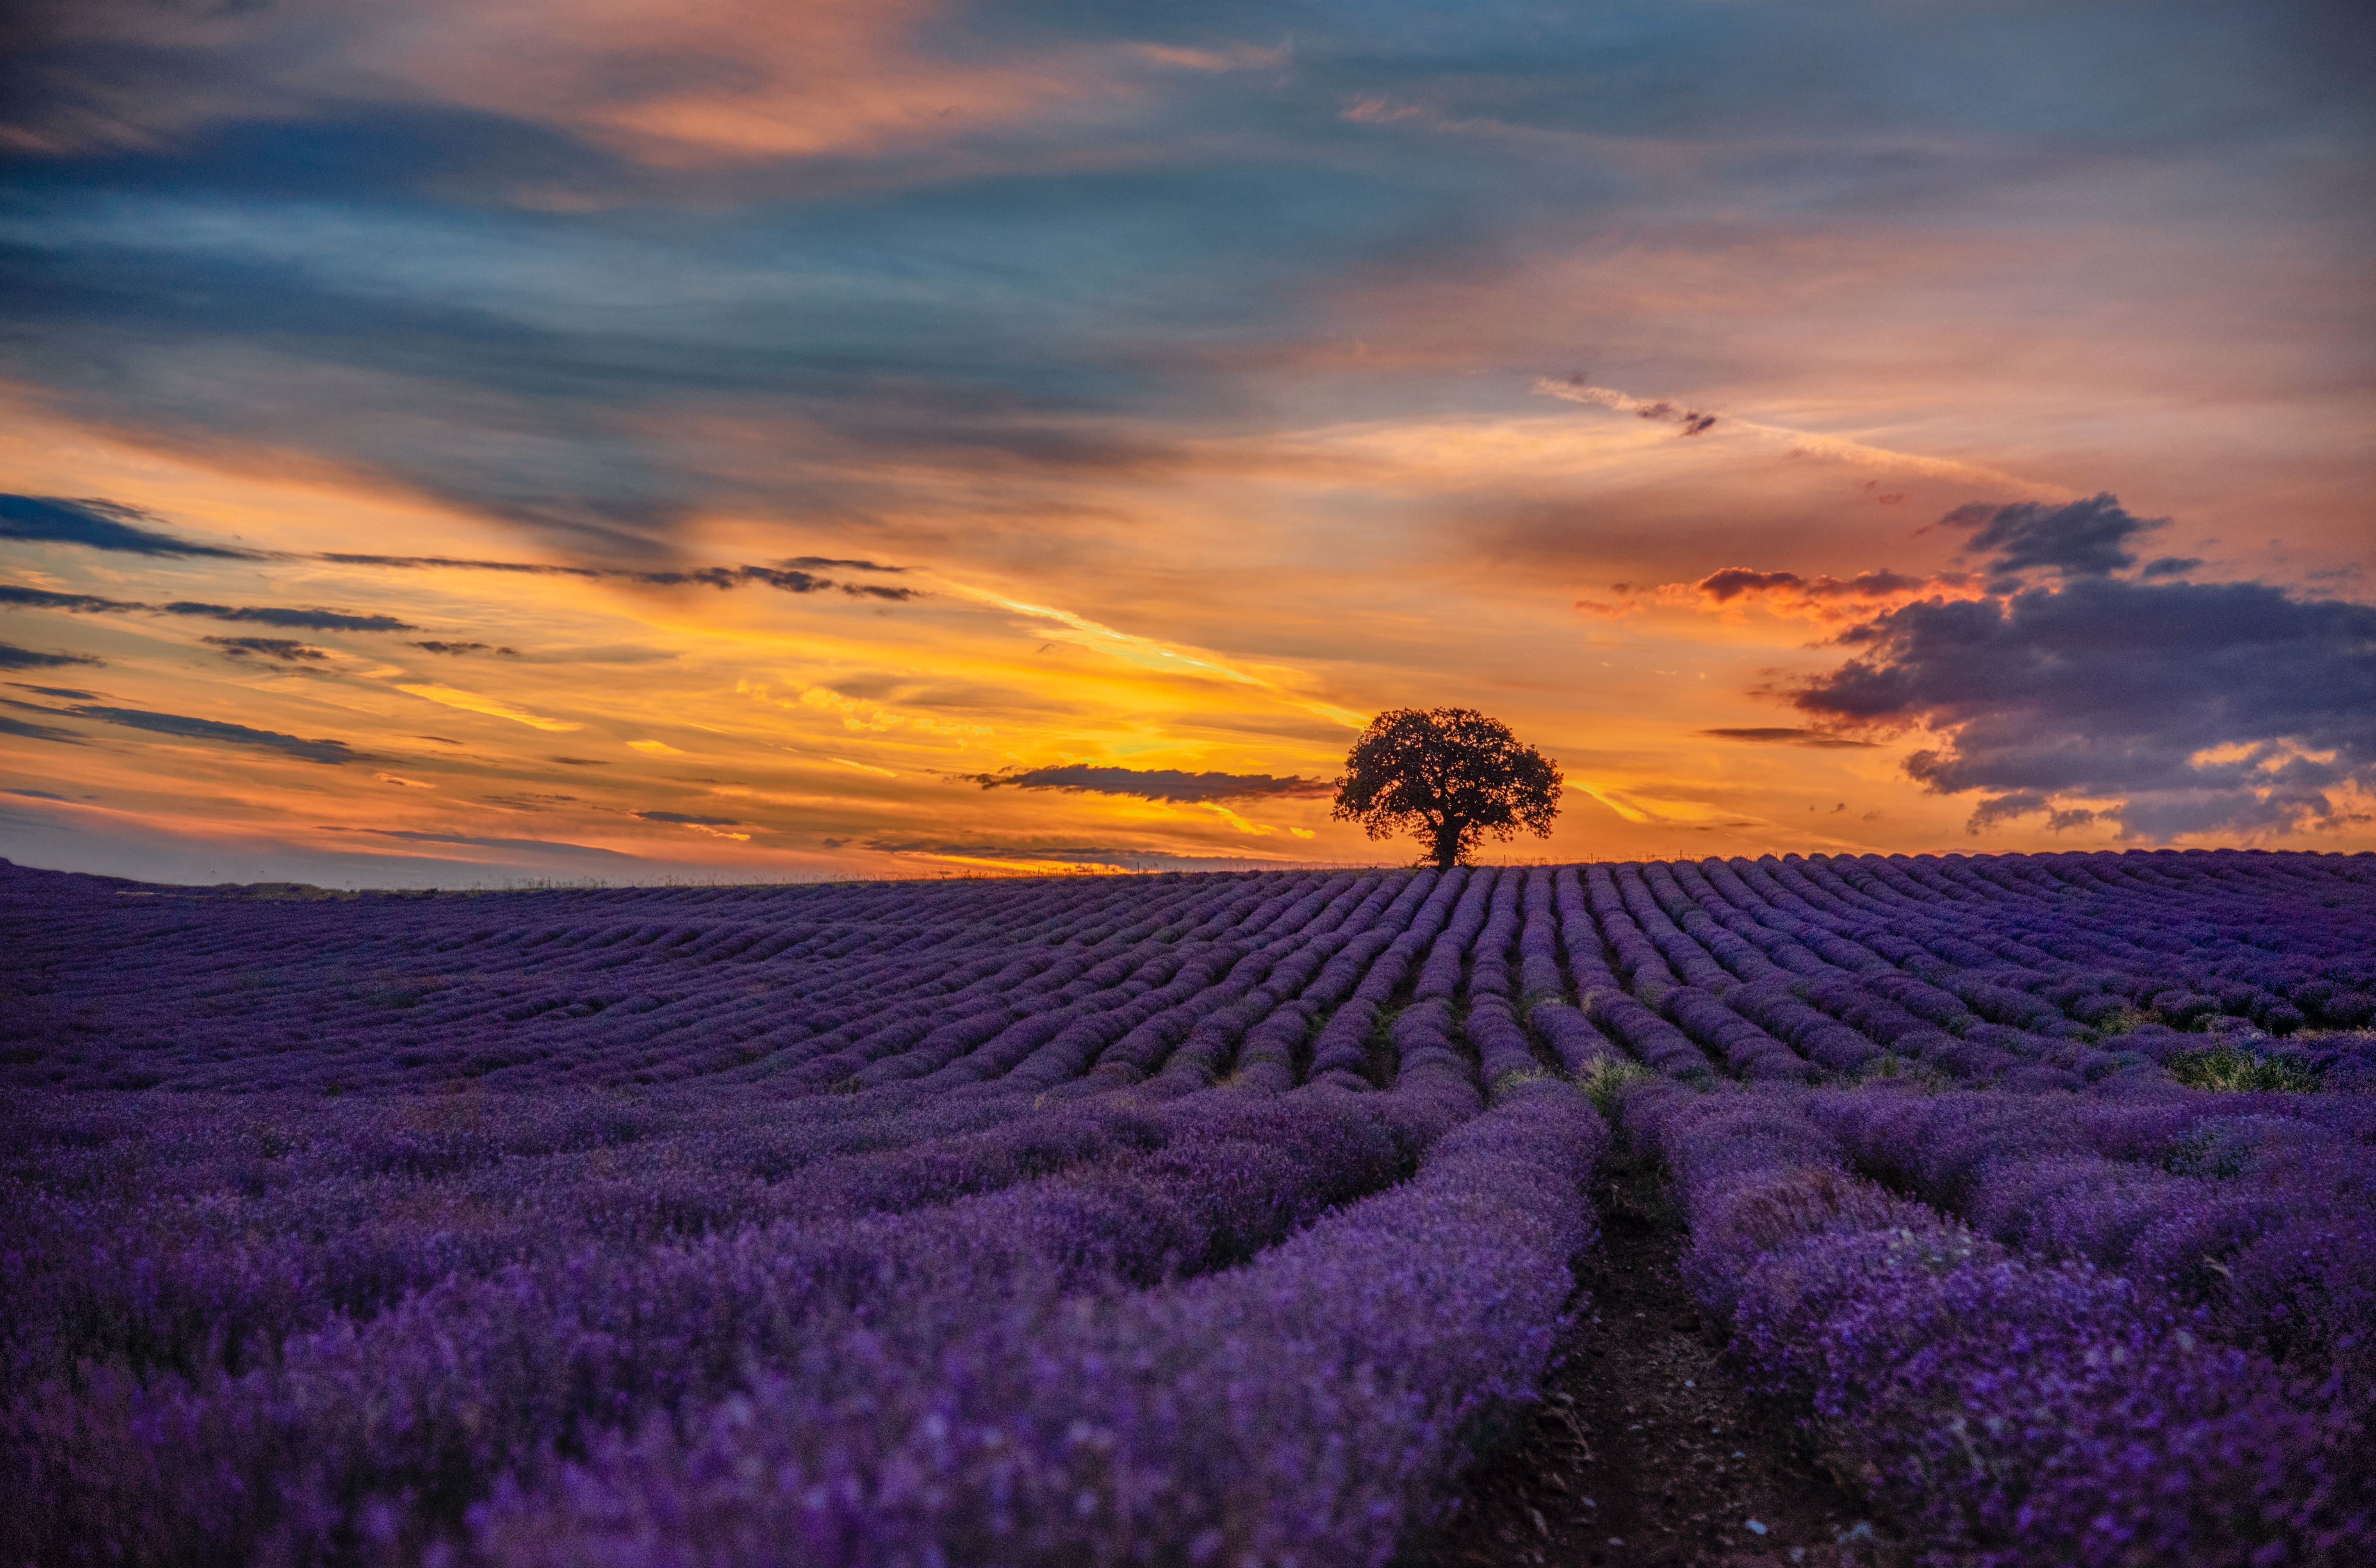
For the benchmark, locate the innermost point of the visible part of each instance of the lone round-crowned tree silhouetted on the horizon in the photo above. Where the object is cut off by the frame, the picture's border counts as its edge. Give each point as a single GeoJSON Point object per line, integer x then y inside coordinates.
{"type": "Point", "coordinates": [1448, 778]}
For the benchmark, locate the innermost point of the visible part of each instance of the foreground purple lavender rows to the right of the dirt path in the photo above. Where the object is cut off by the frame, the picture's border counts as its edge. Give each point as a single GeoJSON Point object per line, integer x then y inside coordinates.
{"type": "Point", "coordinates": [2054, 1329]}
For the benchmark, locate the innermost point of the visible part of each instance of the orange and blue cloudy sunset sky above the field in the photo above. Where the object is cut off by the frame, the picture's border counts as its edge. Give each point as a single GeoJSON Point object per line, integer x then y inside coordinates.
{"type": "Point", "coordinates": [491, 441]}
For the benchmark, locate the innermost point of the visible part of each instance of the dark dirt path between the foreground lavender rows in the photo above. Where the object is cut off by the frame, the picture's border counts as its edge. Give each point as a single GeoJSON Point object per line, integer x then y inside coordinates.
{"type": "Point", "coordinates": [1645, 1450]}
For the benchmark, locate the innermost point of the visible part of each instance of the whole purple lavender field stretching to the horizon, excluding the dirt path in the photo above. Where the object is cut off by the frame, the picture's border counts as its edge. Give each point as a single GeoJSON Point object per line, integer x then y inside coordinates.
{"type": "Point", "coordinates": [1182, 1220]}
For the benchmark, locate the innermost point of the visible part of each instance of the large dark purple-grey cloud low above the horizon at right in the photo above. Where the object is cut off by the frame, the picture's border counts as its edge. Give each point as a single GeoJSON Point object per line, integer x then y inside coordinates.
{"type": "Point", "coordinates": [2118, 690]}
